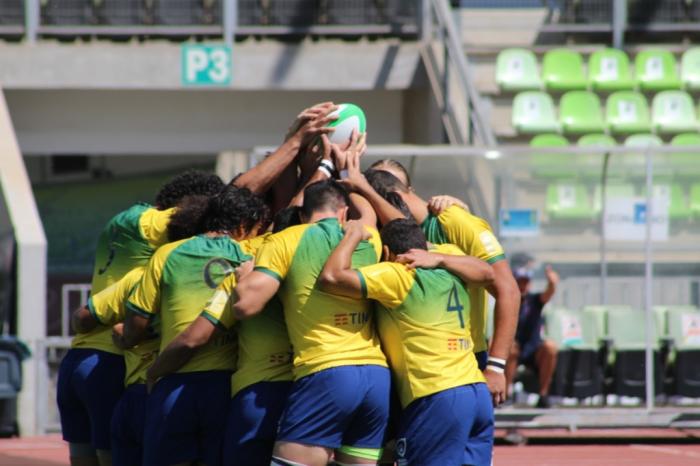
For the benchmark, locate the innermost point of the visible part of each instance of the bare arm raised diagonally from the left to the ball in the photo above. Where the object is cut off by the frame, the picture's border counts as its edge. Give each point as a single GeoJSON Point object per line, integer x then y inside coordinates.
{"type": "Point", "coordinates": [309, 124]}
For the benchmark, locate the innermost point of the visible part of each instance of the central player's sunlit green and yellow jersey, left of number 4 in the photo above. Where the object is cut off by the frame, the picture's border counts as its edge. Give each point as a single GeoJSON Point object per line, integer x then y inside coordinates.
{"type": "Point", "coordinates": [325, 330]}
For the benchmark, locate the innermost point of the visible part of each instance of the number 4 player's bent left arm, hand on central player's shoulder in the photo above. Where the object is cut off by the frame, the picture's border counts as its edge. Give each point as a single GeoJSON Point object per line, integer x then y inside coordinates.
{"type": "Point", "coordinates": [337, 276]}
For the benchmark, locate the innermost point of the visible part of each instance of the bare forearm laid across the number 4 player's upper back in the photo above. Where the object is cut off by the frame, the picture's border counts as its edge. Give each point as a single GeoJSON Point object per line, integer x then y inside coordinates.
{"type": "Point", "coordinates": [470, 270]}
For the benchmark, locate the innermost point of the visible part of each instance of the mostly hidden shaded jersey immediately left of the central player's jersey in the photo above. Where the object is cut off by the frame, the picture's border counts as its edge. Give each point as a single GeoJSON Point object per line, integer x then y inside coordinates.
{"type": "Point", "coordinates": [264, 350]}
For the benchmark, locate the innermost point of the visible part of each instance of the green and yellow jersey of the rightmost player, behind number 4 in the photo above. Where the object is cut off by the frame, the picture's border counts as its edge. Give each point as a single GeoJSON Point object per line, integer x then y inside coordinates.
{"type": "Point", "coordinates": [474, 237]}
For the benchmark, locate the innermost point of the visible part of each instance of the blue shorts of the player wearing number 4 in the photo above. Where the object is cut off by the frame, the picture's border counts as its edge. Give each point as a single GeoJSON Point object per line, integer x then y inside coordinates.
{"type": "Point", "coordinates": [451, 427]}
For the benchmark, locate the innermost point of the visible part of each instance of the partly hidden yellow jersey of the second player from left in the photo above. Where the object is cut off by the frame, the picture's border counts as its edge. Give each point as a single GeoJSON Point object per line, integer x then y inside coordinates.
{"type": "Point", "coordinates": [108, 308]}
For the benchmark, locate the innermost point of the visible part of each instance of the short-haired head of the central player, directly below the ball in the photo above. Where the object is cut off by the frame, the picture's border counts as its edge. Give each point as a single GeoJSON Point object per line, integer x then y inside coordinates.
{"type": "Point", "coordinates": [325, 199]}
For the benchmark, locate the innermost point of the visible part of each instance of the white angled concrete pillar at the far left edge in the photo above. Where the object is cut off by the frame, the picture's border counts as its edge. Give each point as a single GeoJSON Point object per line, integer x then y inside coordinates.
{"type": "Point", "coordinates": [31, 269]}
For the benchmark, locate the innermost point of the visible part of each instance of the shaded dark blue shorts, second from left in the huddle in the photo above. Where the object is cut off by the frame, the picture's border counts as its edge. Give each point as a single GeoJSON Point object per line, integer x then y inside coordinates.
{"type": "Point", "coordinates": [127, 426]}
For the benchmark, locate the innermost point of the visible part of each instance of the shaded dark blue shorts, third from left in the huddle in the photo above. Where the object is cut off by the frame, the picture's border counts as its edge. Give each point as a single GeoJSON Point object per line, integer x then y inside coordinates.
{"type": "Point", "coordinates": [185, 418]}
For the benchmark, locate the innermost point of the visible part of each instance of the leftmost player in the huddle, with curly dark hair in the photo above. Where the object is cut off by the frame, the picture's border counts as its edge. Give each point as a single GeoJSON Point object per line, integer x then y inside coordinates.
{"type": "Point", "coordinates": [91, 375]}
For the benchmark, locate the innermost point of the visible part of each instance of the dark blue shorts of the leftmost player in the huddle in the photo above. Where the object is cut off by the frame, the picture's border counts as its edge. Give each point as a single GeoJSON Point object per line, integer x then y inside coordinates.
{"type": "Point", "coordinates": [90, 383]}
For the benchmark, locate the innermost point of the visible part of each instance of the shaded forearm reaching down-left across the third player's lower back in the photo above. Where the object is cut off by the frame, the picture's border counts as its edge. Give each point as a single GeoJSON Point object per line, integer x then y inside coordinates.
{"type": "Point", "coordinates": [181, 349]}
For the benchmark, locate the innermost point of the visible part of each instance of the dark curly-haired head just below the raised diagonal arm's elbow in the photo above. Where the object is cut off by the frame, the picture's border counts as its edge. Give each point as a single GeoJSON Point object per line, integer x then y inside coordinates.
{"type": "Point", "coordinates": [236, 211]}
